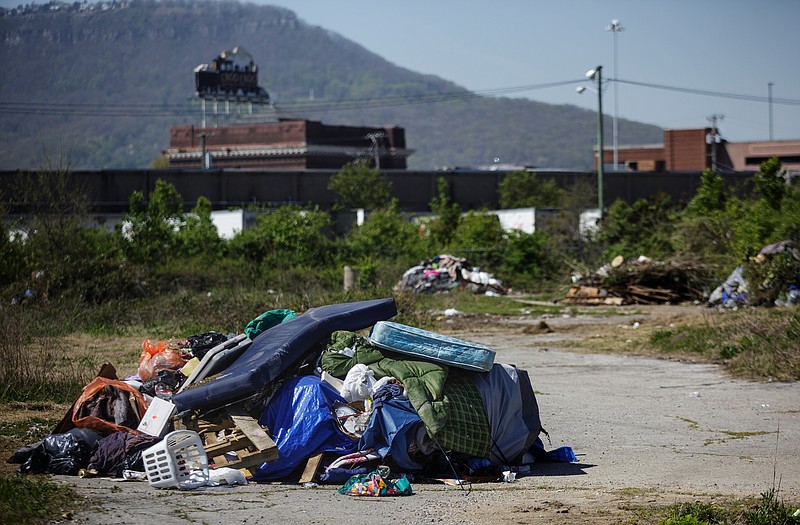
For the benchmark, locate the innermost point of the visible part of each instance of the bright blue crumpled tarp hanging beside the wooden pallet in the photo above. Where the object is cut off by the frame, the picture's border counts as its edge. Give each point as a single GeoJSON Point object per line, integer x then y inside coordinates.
{"type": "Point", "coordinates": [302, 425]}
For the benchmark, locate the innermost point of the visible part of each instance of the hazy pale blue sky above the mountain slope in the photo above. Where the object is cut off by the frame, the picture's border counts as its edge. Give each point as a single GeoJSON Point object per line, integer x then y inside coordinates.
{"type": "Point", "coordinates": [732, 47]}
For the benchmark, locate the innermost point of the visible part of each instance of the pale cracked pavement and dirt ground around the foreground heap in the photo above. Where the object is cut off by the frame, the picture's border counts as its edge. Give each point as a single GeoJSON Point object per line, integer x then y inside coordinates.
{"type": "Point", "coordinates": [647, 432]}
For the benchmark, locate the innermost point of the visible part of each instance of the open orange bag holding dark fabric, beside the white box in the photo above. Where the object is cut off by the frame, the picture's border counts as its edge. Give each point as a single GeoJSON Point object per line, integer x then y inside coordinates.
{"type": "Point", "coordinates": [109, 405]}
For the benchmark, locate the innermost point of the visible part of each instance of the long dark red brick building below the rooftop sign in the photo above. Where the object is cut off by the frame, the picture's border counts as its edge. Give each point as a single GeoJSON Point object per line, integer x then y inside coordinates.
{"type": "Point", "coordinates": [286, 145]}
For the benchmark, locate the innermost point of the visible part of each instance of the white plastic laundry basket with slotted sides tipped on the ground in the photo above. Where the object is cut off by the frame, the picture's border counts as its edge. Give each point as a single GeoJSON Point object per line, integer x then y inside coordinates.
{"type": "Point", "coordinates": [178, 461]}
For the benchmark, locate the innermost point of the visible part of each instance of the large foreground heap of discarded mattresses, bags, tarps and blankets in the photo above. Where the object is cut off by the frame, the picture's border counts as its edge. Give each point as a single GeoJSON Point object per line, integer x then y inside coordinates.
{"type": "Point", "coordinates": [304, 399]}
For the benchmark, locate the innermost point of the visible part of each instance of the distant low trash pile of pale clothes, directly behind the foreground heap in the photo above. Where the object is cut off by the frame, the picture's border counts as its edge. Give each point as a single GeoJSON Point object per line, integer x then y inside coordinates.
{"type": "Point", "coordinates": [443, 273]}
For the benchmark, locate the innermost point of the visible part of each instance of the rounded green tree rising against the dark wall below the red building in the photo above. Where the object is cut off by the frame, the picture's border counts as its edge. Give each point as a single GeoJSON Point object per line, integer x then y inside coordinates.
{"type": "Point", "coordinates": [357, 185]}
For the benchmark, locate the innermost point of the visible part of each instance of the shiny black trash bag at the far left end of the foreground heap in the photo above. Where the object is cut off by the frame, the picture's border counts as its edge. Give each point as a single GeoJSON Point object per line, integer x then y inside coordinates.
{"type": "Point", "coordinates": [65, 453]}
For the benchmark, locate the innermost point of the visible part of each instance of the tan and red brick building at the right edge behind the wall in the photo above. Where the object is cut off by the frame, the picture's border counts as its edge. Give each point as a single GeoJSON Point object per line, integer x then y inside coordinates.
{"type": "Point", "coordinates": [696, 150]}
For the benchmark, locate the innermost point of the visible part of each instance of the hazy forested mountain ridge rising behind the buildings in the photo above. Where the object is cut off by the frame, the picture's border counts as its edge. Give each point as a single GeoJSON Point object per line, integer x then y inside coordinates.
{"type": "Point", "coordinates": [103, 87]}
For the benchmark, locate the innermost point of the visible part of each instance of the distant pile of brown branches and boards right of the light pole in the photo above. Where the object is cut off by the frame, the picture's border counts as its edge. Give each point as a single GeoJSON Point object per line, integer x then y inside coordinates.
{"type": "Point", "coordinates": [640, 280]}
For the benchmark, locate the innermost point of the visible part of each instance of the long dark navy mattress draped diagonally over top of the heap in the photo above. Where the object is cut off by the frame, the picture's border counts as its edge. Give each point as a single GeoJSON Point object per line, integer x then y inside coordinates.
{"type": "Point", "coordinates": [280, 348]}
